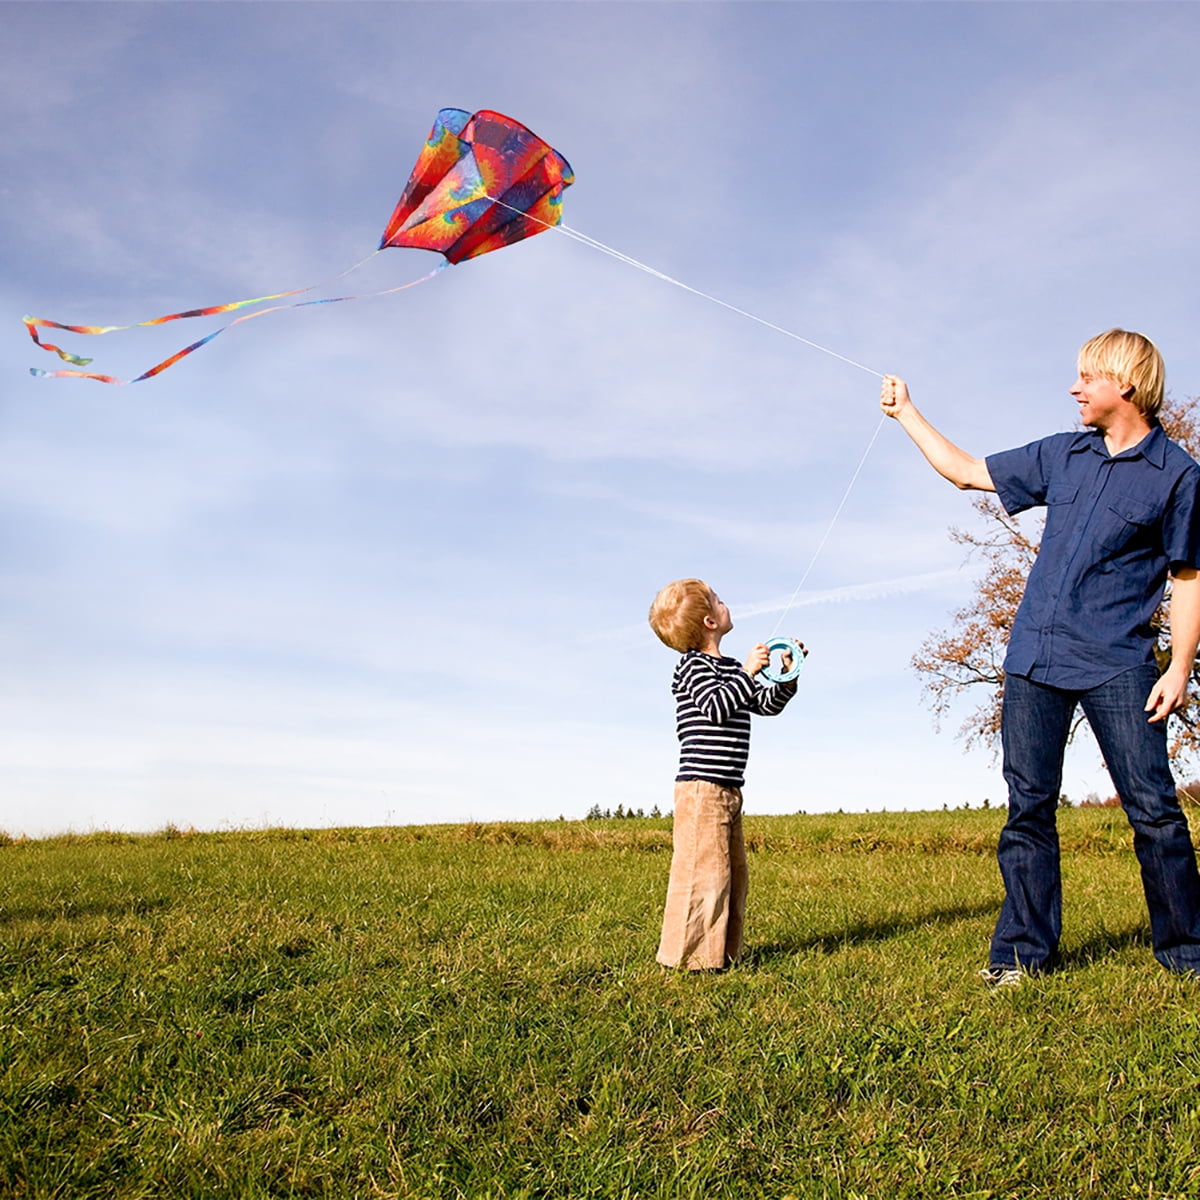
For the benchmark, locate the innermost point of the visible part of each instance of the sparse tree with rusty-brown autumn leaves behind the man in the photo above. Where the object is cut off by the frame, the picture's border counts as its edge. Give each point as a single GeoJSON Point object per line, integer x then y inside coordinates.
{"type": "Point", "coordinates": [970, 655]}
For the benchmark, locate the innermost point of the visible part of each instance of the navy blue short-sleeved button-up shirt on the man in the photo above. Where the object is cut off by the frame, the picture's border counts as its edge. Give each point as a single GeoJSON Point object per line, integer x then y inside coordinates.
{"type": "Point", "coordinates": [1114, 529]}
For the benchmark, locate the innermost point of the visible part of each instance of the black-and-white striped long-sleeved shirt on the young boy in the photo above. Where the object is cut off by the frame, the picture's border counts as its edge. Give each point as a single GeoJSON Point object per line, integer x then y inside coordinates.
{"type": "Point", "coordinates": [715, 701]}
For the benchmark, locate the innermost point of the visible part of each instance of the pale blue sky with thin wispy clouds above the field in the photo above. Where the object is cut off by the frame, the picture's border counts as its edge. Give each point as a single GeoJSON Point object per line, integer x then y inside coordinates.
{"type": "Point", "coordinates": [391, 561]}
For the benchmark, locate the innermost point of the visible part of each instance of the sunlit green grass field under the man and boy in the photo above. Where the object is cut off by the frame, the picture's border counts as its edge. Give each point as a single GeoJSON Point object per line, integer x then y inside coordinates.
{"type": "Point", "coordinates": [477, 1012]}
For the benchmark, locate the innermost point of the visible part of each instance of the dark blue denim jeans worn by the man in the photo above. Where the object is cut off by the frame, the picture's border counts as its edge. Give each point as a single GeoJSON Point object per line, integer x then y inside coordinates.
{"type": "Point", "coordinates": [1035, 728]}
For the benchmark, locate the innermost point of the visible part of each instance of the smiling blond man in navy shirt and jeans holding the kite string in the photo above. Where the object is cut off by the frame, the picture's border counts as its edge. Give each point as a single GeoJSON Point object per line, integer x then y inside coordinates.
{"type": "Point", "coordinates": [1123, 513]}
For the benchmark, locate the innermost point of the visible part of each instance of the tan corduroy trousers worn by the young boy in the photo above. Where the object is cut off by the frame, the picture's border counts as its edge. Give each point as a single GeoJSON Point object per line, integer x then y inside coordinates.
{"type": "Point", "coordinates": [705, 916]}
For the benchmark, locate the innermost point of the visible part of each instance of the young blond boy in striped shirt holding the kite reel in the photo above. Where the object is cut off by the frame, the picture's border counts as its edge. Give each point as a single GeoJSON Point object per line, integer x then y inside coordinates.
{"type": "Point", "coordinates": [706, 904]}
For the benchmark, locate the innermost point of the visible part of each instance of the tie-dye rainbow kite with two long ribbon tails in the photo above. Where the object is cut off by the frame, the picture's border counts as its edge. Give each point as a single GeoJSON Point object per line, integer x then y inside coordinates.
{"type": "Point", "coordinates": [482, 182]}
